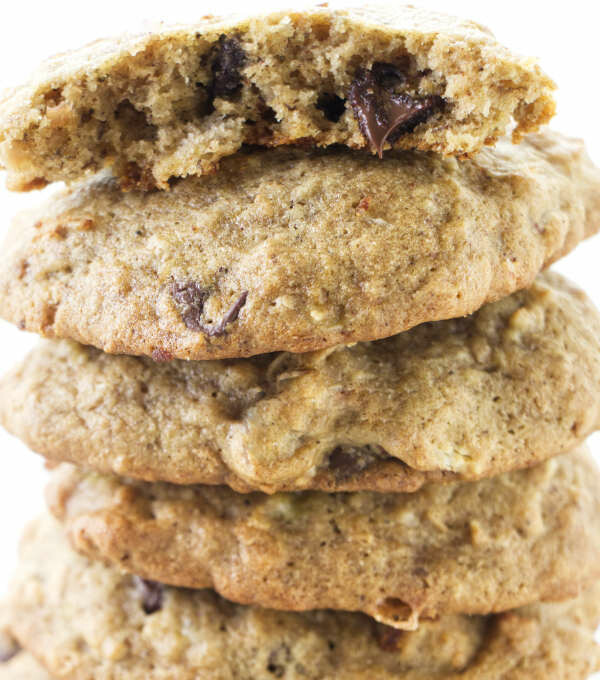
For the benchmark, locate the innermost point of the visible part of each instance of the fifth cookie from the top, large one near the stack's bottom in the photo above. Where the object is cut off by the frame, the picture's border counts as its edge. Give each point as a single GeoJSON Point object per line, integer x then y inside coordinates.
{"type": "Point", "coordinates": [85, 620]}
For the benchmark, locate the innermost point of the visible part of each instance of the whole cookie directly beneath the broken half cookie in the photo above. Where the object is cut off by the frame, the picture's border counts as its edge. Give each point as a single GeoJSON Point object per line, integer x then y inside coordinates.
{"type": "Point", "coordinates": [284, 250]}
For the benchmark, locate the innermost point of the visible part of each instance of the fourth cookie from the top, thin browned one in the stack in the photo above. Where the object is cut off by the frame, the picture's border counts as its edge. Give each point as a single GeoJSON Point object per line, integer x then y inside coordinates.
{"type": "Point", "coordinates": [467, 547]}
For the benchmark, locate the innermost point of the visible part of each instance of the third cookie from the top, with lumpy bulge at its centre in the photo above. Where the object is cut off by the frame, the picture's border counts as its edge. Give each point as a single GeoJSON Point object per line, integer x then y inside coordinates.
{"type": "Point", "coordinates": [509, 386]}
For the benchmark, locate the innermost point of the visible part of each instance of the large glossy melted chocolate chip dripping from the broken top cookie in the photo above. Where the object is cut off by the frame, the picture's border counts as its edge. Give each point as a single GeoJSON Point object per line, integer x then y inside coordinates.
{"type": "Point", "coordinates": [382, 110]}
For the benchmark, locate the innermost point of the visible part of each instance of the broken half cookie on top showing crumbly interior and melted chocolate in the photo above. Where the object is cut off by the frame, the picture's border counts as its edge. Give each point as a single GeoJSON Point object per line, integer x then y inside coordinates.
{"type": "Point", "coordinates": [173, 102]}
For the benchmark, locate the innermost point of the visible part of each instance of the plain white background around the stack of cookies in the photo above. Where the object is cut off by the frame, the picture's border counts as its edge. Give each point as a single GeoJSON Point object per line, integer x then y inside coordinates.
{"type": "Point", "coordinates": [563, 35]}
